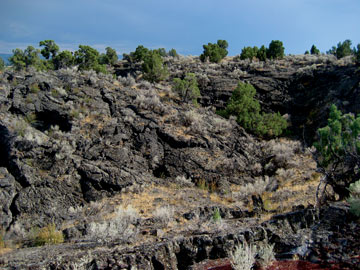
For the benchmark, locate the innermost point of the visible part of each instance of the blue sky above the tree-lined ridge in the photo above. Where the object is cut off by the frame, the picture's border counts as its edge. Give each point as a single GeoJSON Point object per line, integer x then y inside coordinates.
{"type": "Point", "coordinates": [183, 24]}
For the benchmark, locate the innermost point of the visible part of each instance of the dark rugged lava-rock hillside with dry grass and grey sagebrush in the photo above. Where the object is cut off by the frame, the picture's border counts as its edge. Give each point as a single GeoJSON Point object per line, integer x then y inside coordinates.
{"type": "Point", "coordinates": [77, 146]}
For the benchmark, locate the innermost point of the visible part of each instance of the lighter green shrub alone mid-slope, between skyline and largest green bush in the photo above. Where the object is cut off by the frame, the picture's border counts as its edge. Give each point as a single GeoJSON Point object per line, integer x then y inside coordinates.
{"type": "Point", "coordinates": [187, 88]}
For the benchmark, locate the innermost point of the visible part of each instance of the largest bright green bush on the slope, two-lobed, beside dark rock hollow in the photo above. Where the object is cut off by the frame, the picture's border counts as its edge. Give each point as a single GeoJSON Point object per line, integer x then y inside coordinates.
{"type": "Point", "coordinates": [246, 108]}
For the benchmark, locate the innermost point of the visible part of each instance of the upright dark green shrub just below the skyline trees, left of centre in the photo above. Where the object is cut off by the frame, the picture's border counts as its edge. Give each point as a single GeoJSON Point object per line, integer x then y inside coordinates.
{"type": "Point", "coordinates": [153, 67]}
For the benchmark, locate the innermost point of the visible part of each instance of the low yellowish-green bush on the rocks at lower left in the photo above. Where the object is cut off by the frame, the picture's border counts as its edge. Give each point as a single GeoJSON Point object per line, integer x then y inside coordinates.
{"type": "Point", "coordinates": [47, 235]}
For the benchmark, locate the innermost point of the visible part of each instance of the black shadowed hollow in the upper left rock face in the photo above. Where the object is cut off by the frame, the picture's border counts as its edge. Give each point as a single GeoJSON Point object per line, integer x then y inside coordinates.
{"type": "Point", "coordinates": [46, 119]}
